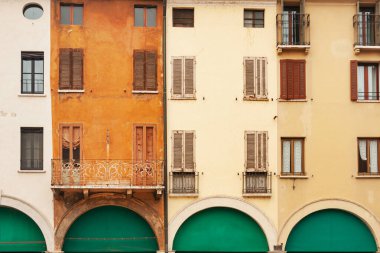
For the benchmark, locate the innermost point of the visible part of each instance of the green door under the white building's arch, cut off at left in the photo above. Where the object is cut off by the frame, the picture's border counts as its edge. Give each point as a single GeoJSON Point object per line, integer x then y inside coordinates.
{"type": "Point", "coordinates": [19, 233]}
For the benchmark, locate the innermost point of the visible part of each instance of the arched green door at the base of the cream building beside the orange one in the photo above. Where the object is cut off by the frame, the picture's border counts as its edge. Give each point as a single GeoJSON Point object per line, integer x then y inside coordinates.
{"type": "Point", "coordinates": [220, 230]}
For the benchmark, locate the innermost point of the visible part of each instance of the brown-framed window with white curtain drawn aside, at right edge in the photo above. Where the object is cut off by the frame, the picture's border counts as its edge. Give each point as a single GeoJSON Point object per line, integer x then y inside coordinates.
{"type": "Point", "coordinates": [368, 154]}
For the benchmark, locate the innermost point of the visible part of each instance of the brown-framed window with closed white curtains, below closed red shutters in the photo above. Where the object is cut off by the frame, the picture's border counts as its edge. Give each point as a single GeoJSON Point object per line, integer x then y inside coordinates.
{"type": "Point", "coordinates": [292, 156]}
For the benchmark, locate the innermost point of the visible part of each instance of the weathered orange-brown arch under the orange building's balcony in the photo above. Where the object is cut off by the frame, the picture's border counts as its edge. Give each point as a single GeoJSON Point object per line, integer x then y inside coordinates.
{"type": "Point", "coordinates": [138, 206]}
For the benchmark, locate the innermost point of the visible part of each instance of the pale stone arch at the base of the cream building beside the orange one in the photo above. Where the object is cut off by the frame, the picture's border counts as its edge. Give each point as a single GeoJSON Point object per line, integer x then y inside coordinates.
{"type": "Point", "coordinates": [234, 203]}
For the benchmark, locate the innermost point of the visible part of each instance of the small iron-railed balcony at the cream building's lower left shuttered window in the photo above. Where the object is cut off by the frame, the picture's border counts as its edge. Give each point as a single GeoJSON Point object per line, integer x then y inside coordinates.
{"type": "Point", "coordinates": [183, 183]}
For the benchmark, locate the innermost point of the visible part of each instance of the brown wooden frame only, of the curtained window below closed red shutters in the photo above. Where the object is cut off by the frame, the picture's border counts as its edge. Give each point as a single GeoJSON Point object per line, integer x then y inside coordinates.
{"type": "Point", "coordinates": [291, 172]}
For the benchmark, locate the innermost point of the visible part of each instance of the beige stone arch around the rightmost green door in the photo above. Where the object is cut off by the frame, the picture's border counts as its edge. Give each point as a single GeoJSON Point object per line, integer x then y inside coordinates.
{"type": "Point", "coordinates": [353, 208]}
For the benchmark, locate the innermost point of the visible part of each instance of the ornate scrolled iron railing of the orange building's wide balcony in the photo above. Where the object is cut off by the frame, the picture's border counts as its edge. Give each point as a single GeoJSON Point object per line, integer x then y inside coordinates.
{"type": "Point", "coordinates": [107, 173]}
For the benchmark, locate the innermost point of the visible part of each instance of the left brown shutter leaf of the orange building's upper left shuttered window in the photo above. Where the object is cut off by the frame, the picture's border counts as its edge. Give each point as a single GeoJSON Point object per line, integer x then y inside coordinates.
{"type": "Point", "coordinates": [65, 68]}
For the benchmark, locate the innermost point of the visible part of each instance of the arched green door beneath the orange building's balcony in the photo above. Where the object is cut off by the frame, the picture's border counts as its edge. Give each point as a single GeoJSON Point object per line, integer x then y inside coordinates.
{"type": "Point", "coordinates": [110, 229]}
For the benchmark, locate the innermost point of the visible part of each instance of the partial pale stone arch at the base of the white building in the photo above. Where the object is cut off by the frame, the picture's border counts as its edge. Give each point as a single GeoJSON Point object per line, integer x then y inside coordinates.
{"type": "Point", "coordinates": [32, 212]}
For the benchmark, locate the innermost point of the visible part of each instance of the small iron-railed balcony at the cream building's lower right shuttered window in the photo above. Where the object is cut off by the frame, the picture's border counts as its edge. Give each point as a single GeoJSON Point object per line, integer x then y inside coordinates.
{"type": "Point", "coordinates": [257, 183]}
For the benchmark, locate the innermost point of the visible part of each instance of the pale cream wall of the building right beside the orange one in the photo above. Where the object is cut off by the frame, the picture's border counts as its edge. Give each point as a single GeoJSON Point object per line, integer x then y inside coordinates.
{"type": "Point", "coordinates": [219, 115]}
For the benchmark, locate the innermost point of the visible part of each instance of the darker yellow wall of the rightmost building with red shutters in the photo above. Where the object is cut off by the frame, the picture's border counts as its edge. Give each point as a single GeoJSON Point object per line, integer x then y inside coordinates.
{"type": "Point", "coordinates": [328, 120]}
